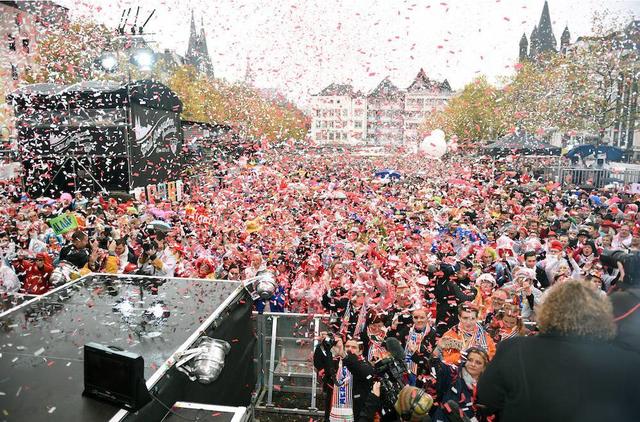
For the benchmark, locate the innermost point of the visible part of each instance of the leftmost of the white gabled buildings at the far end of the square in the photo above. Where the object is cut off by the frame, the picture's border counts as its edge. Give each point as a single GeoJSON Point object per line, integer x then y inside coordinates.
{"type": "Point", "coordinates": [339, 115]}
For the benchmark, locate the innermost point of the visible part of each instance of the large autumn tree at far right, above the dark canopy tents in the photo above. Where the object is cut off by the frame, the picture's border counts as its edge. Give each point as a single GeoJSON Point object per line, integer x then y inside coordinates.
{"type": "Point", "coordinates": [582, 90]}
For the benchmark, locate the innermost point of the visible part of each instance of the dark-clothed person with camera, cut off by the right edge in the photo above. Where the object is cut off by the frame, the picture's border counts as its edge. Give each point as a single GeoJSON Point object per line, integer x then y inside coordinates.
{"type": "Point", "coordinates": [625, 297]}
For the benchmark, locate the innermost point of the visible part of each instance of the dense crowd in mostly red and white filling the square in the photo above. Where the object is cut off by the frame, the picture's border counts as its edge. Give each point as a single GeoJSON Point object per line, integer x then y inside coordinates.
{"type": "Point", "coordinates": [437, 268]}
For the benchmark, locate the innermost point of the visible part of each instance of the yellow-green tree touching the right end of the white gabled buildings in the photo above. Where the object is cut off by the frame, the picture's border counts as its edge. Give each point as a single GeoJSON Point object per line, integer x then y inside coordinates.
{"type": "Point", "coordinates": [473, 115]}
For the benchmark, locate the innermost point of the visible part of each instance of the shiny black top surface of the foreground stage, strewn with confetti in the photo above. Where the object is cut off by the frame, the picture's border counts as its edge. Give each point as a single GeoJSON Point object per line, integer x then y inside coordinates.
{"type": "Point", "coordinates": [41, 343]}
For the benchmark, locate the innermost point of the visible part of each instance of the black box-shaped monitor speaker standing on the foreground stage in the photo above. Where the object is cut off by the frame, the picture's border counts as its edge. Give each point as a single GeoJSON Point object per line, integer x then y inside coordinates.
{"type": "Point", "coordinates": [114, 375]}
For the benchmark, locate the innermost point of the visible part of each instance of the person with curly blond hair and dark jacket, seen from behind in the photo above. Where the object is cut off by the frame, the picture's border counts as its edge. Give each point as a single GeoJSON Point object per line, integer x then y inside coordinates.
{"type": "Point", "coordinates": [569, 372]}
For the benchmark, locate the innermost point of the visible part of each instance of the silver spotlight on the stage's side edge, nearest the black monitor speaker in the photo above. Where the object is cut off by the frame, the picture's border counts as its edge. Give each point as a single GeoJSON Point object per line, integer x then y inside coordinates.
{"type": "Point", "coordinates": [208, 360]}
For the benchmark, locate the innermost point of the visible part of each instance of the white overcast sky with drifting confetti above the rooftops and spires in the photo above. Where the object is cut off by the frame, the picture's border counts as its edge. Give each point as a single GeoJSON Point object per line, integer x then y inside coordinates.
{"type": "Point", "coordinates": [299, 47]}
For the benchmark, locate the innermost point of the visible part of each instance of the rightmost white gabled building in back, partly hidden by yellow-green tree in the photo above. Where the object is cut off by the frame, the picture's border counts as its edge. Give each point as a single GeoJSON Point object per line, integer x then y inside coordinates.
{"type": "Point", "coordinates": [423, 96]}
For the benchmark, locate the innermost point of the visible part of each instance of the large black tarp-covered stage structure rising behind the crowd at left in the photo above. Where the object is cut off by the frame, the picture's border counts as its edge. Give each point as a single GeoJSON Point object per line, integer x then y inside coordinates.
{"type": "Point", "coordinates": [98, 134]}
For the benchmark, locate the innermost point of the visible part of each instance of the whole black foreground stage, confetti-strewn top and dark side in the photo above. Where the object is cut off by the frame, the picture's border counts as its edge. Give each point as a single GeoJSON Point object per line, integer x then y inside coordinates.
{"type": "Point", "coordinates": [42, 343]}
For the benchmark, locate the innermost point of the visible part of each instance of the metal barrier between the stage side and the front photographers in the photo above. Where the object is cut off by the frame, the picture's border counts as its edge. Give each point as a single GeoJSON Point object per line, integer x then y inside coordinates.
{"type": "Point", "coordinates": [286, 379]}
